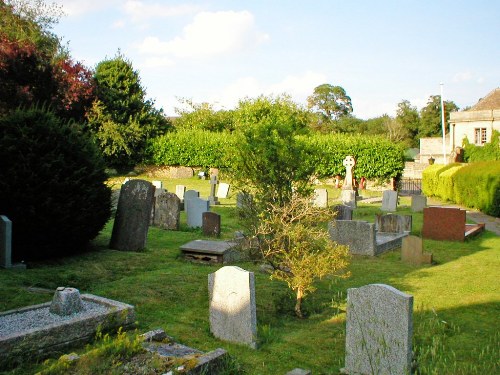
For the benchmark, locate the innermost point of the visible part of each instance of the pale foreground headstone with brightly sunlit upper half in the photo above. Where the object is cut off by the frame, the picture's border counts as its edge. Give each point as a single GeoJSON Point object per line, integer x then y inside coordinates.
{"type": "Point", "coordinates": [232, 305]}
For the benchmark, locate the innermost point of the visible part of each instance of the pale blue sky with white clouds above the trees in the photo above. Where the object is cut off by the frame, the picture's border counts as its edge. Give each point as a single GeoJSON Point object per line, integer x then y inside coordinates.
{"type": "Point", "coordinates": [220, 52]}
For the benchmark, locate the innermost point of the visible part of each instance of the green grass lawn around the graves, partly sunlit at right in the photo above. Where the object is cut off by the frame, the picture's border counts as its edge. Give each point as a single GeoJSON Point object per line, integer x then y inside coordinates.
{"type": "Point", "coordinates": [456, 300]}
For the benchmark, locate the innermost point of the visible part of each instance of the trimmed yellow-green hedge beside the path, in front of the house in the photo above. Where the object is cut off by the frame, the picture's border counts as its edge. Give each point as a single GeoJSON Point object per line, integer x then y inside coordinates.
{"type": "Point", "coordinates": [475, 185]}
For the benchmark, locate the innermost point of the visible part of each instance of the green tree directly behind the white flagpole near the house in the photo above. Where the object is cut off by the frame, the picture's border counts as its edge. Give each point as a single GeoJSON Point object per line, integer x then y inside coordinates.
{"type": "Point", "coordinates": [430, 116]}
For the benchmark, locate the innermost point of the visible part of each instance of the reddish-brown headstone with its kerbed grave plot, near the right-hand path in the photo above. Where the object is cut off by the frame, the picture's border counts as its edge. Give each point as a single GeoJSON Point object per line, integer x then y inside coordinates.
{"type": "Point", "coordinates": [448, 223]}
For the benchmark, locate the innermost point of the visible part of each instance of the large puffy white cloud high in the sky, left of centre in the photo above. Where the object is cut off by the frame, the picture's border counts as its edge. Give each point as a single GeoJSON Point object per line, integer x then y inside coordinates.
{"type": "Point", "coordinates": [210, 34]}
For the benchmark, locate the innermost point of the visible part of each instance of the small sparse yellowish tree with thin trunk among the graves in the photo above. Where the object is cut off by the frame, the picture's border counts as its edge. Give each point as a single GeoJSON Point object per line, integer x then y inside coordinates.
{"type": "Point", "coordinates": [296, 244]}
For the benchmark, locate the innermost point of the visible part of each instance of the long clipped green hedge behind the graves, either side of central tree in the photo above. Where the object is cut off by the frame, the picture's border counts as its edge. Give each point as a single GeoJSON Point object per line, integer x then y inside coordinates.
{"type": "Point", "coordinates": [376, 157]}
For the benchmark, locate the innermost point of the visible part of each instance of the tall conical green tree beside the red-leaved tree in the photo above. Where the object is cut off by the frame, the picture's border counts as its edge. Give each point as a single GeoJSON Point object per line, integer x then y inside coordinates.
{"type": "Point", "coordinates": [122, 119]}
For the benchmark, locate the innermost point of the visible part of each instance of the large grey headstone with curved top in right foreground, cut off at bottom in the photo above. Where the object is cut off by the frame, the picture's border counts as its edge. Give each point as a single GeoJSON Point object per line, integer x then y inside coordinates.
{"type": "Point", "coordinates": [379, 330]}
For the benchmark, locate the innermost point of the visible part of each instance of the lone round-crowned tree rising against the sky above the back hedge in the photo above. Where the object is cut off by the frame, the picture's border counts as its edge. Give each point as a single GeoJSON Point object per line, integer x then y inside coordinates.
{"type": "Point", "coordinates": [330, 102]}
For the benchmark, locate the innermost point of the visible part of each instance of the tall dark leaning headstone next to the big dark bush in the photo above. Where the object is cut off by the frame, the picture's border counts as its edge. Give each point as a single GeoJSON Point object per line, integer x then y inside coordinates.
{"type": "Point", "coordinates": [133, 214]}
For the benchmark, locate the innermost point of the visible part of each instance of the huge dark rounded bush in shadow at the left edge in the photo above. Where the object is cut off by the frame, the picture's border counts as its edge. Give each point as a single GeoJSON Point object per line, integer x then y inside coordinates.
{"type": "Point", "coordinates": [52, 185]}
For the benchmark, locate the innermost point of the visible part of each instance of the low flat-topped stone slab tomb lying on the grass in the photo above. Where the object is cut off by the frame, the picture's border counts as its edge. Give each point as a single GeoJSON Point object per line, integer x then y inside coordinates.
{"type": "Point", "coordinates": [208, 251]}
